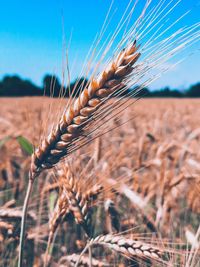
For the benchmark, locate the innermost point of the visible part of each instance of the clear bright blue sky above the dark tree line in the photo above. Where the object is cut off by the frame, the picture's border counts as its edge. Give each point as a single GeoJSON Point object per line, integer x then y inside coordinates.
{"type": "Point", "coordinates": [31, 36]}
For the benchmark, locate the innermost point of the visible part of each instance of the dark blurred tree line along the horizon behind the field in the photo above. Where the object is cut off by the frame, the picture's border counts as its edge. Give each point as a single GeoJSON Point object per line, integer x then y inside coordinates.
{"type": "Point", "coordinates": [14, 86]}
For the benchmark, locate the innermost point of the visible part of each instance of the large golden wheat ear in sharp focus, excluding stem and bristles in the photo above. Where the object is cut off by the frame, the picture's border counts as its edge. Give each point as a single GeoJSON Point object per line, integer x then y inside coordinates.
{"type": "Point", "coordinates": [73, 121]}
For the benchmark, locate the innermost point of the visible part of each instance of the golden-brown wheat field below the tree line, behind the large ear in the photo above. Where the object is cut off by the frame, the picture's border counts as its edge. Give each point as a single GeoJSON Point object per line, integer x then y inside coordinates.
{"type": "Point", "coordinates": [130, 195]}
